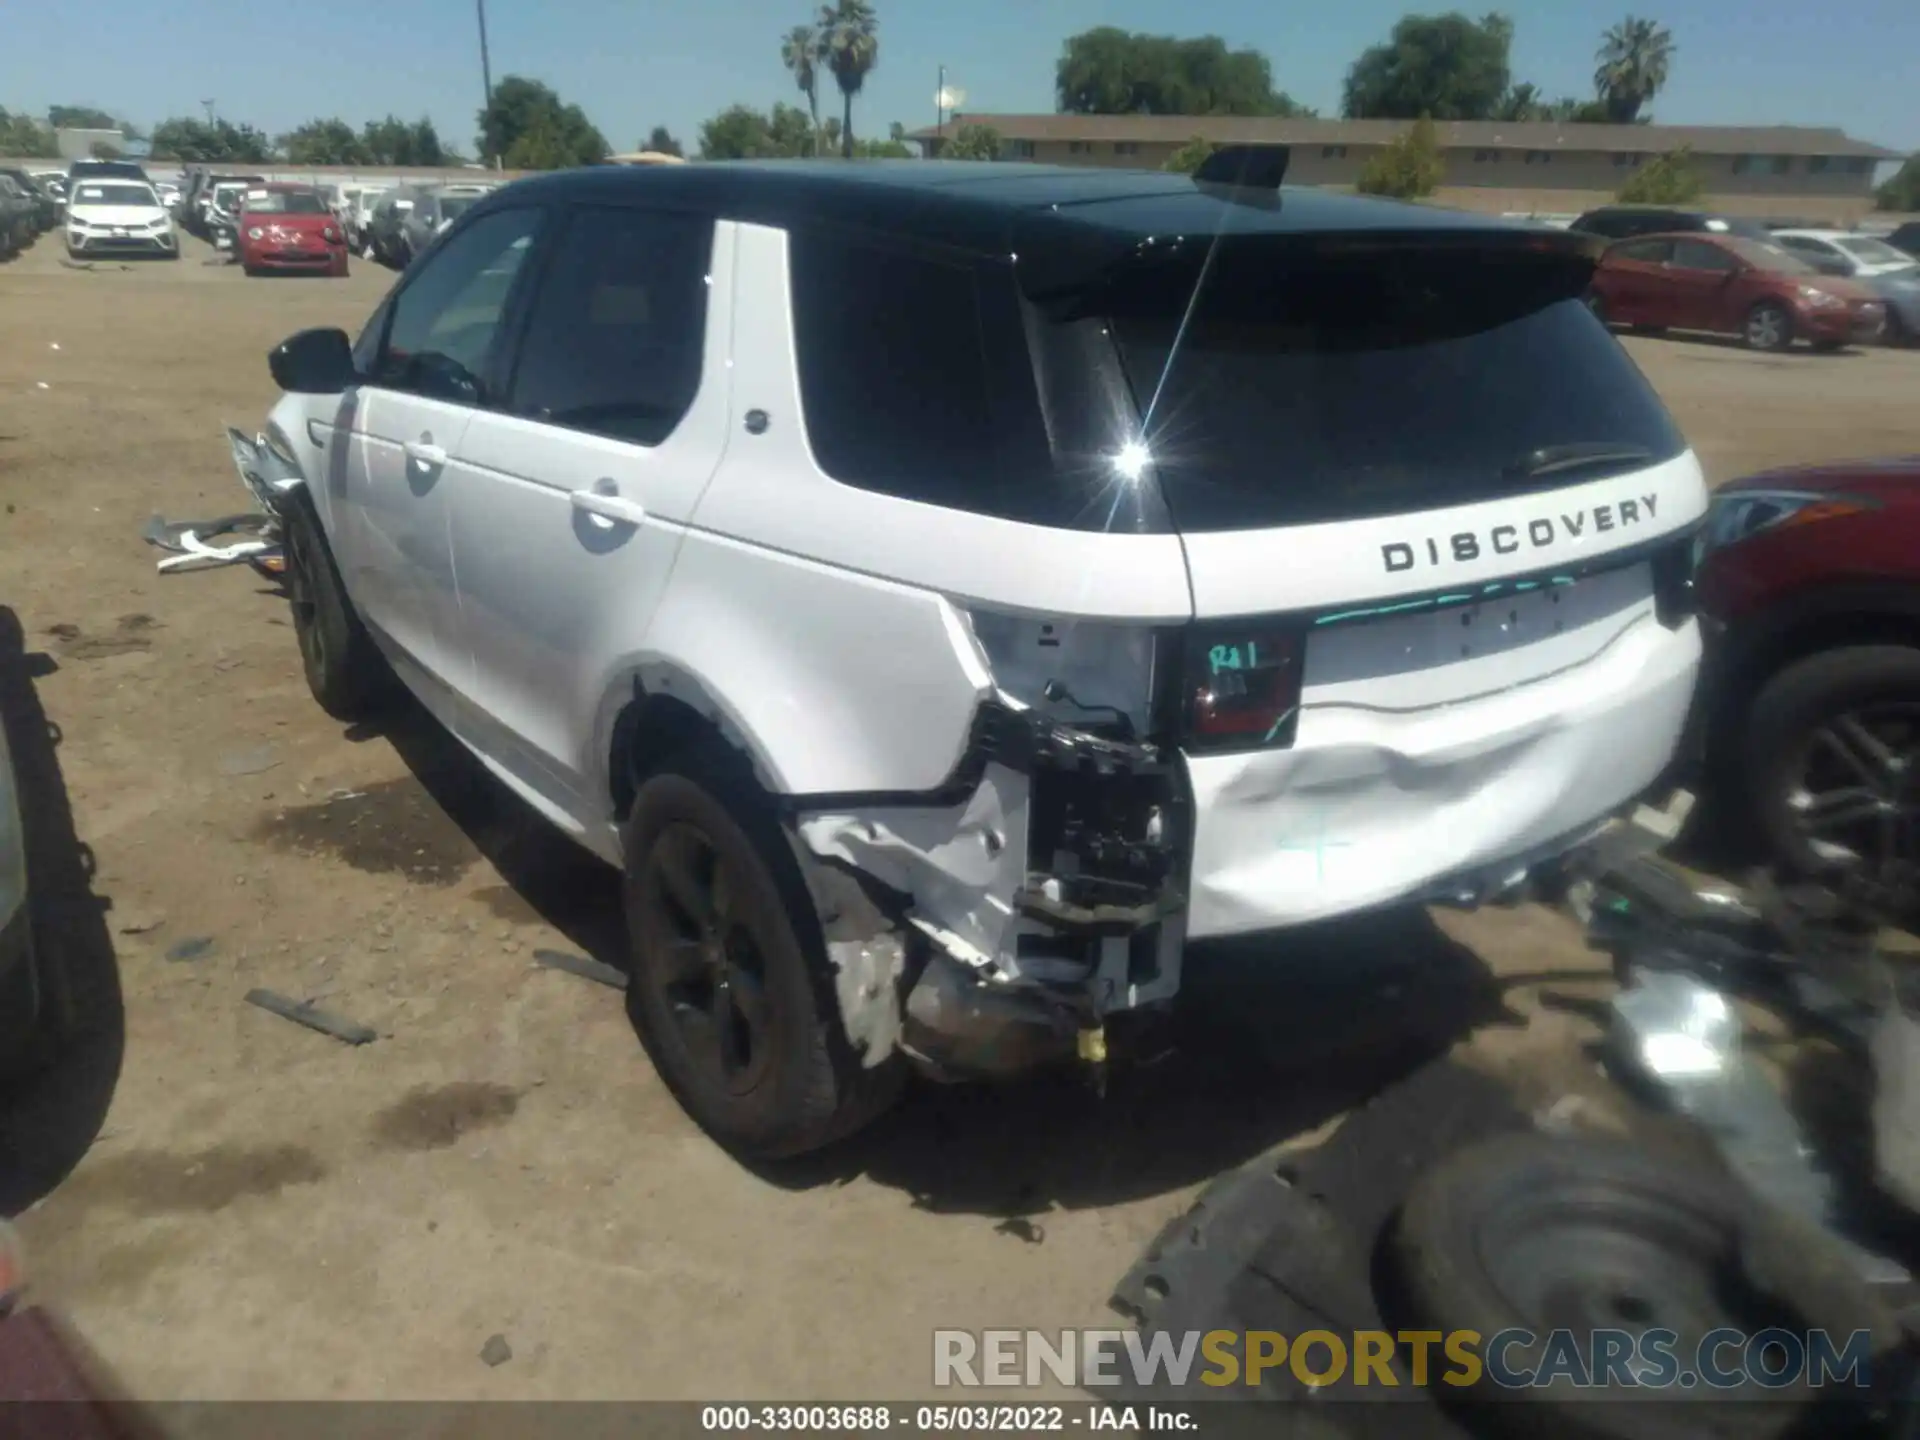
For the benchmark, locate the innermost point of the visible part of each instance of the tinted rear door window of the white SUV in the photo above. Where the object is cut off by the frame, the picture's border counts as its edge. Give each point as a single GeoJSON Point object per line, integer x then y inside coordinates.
{"type": "Point", "coordinates": [619, 329]}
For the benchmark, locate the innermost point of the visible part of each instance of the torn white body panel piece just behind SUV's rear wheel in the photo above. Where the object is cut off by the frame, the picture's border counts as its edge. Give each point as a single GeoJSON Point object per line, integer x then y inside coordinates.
{"type": "Point", "coordinates": [961, 865]}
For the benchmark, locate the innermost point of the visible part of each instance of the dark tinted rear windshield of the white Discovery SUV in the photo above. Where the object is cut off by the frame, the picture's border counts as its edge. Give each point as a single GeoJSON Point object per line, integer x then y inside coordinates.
{"type": "Point", "coordinates": [1364, 387]}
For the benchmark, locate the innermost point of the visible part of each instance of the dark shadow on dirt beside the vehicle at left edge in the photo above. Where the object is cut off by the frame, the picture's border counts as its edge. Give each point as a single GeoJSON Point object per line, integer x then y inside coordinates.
{"type": "Point", "coordinates": [53, 1116]}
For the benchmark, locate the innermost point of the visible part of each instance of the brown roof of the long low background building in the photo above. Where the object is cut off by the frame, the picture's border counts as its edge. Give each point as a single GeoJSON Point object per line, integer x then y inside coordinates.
{"type": "Point", "coordinates": [1452, 135]}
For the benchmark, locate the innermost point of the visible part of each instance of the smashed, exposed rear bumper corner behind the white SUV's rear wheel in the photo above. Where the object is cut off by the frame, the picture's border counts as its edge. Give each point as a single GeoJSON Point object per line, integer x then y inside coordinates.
{"type": "Point", "coordinates": [1047, 896]}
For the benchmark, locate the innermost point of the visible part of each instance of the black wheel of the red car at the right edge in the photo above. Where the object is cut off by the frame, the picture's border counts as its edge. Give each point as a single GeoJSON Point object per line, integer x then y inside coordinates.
{"type": "Point", "coordinates": [1835, 763]}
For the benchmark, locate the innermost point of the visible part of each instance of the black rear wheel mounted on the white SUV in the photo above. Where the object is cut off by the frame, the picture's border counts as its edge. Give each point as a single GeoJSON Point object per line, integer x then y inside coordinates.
{"type": "Point", "coordinates": [731, 996]}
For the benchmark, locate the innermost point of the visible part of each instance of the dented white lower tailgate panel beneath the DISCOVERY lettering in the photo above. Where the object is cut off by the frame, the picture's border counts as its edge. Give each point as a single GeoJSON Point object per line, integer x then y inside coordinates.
{"type": "Point", "coordinates": [1378, 804]}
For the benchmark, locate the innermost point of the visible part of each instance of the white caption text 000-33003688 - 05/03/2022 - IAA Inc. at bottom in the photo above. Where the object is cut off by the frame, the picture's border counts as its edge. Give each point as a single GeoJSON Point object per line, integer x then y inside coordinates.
{"type": "Point", "coordinates": [948, 1420]}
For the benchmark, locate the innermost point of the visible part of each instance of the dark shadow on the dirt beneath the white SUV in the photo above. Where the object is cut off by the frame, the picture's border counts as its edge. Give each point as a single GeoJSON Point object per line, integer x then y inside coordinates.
{"type": "Point", "coordinates": [1272, 1038]}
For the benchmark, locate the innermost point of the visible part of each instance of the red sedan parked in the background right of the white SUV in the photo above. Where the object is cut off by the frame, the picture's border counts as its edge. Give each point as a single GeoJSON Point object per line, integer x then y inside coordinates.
{"type": "Point", "coordinates": [1765, 295]}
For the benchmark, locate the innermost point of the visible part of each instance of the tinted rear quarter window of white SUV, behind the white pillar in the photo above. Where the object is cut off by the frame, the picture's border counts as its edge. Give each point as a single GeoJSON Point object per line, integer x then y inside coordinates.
{"type": "Point", "coordinates": [919, 381]}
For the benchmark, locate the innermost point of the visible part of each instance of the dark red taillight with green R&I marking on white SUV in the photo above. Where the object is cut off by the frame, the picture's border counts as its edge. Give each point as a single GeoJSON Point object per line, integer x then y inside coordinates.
{"type": "Point", "coordinates": [1243, 688]}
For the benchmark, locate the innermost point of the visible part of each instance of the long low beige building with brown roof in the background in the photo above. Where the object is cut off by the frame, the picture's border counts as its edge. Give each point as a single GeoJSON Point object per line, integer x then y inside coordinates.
{"type": "Point", "coordinates": [1537, 166]}
